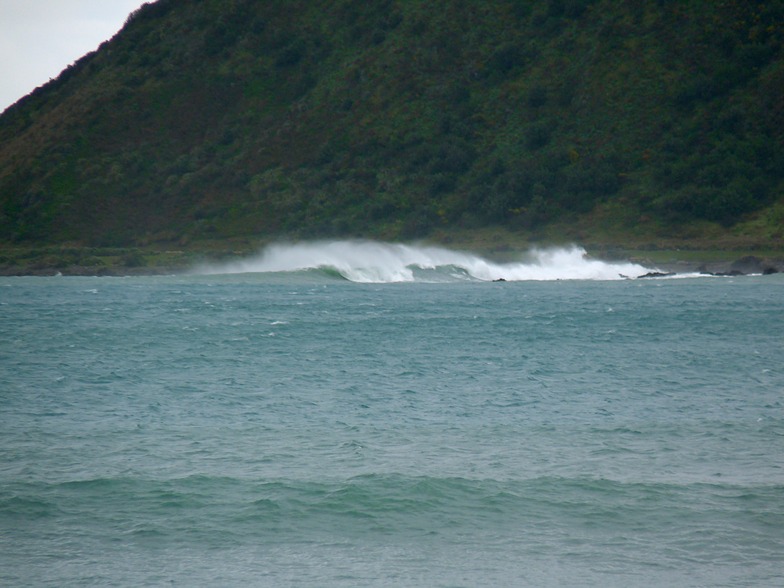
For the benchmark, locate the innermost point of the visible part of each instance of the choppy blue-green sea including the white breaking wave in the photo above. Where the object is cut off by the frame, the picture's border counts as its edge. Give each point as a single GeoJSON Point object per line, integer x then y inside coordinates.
{"type": "Point", "coordinates": [369, 415]}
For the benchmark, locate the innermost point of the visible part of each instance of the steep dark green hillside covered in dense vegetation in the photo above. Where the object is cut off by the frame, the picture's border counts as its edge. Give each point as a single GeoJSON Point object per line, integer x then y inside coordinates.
{"type": "Point", "coordinates": [401, 119]}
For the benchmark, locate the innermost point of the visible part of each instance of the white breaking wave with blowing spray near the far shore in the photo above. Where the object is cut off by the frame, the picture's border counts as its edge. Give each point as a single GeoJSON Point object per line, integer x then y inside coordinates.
{"type": "Point", "coordinates": [377, 262]}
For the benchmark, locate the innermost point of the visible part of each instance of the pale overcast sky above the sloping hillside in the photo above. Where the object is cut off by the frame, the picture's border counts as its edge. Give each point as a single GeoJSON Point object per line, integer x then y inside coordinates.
{"type": "Point", "coordinates": [40, 38]}
